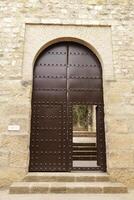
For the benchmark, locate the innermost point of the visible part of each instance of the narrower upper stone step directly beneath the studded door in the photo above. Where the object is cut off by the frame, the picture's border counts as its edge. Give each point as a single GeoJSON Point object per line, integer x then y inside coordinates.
{"type": "Point", "coordinates": [66, 177]}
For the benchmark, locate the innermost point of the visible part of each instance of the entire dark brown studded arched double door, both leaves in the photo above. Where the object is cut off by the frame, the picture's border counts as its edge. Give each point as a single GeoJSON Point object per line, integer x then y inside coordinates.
{"type": "Point", "coordinates": [67, 81]}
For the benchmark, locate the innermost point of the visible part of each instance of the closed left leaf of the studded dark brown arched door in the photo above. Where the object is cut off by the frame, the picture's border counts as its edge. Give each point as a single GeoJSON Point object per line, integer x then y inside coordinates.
{"type": "Point", "coordinates": [48, 148]}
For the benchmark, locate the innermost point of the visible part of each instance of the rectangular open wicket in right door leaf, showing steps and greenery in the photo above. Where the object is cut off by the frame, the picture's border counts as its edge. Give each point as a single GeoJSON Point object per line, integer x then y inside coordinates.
{"type": "Point", "coordinates": [84, 137]}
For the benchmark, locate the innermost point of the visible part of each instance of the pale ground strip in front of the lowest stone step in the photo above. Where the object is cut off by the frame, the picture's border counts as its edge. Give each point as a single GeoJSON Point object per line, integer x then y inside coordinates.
{"type": "Point", "coordinates": [5, 196]}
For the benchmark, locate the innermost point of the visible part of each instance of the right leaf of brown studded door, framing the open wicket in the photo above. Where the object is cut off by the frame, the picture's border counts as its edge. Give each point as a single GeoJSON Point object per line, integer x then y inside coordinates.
{"type": "Point", "coordinates": [85, 88]}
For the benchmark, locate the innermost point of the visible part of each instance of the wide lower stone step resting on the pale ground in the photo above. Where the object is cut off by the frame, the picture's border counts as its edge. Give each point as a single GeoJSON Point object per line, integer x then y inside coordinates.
{"type": "Point", "coordinates": [66, 187]}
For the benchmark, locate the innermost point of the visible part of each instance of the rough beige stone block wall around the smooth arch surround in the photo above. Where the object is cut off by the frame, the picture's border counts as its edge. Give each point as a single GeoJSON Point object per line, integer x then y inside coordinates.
{"type": "Point", "coordinates": [15, 93]}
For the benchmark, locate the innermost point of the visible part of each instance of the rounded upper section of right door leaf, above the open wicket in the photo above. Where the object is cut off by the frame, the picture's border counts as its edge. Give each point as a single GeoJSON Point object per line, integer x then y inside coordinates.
{"type": "Point", "coordinates": [80, 77]}
